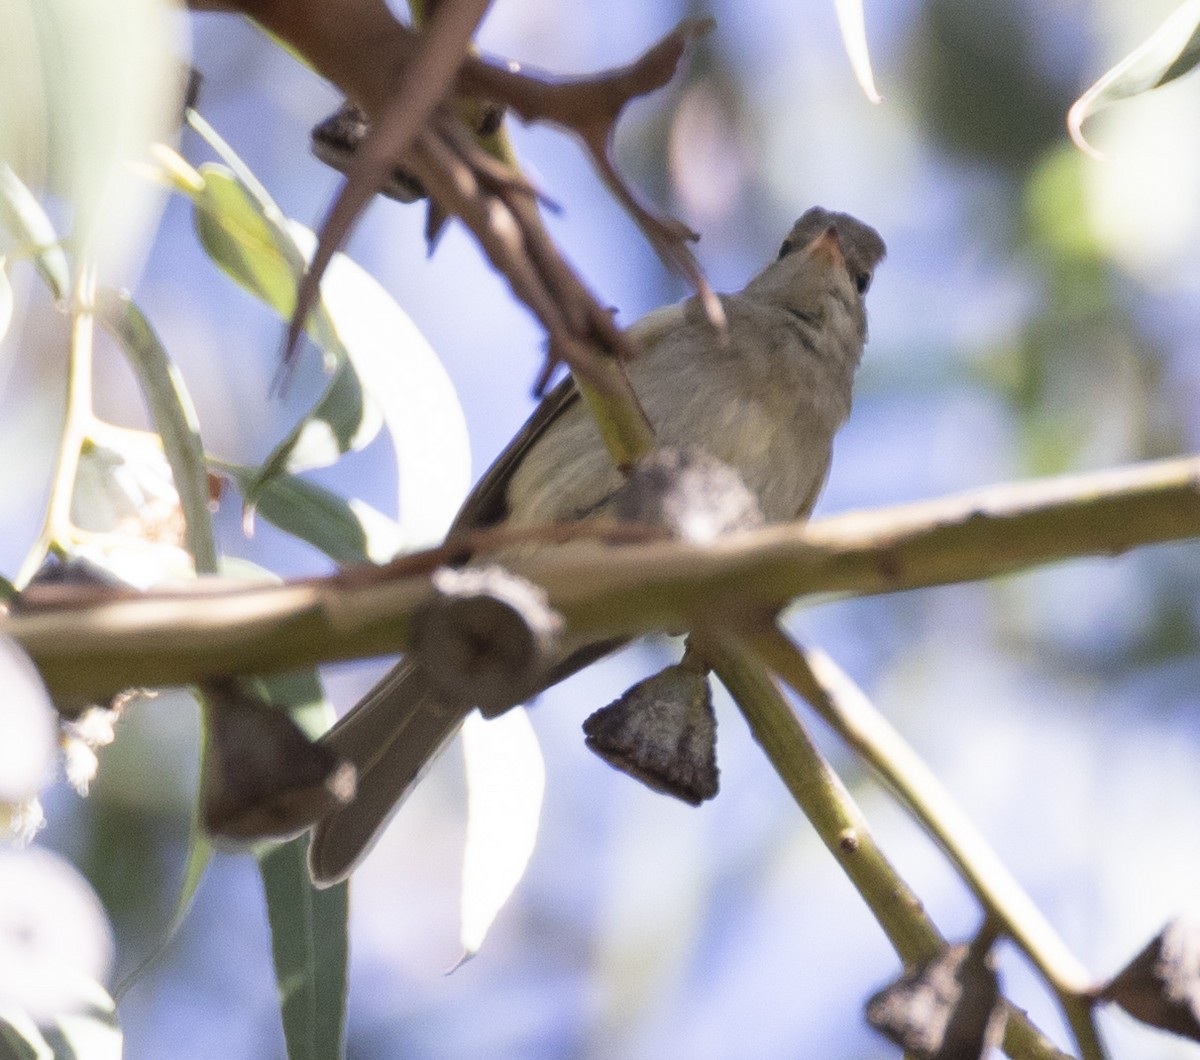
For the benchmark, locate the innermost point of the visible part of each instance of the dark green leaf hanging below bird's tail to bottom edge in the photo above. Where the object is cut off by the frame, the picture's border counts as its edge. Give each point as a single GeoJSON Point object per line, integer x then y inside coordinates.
{"type": "Point", "coordinates": [310, 945]}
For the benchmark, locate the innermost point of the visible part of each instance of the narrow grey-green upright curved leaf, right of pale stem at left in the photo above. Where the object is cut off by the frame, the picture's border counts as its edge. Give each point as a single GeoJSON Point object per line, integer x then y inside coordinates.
{"type": "Point", "coordinates": [175, 418]}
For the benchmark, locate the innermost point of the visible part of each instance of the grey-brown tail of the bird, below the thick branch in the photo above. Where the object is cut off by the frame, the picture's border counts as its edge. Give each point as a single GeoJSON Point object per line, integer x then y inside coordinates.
{"type": "Point", "coordinates": [392, 738]}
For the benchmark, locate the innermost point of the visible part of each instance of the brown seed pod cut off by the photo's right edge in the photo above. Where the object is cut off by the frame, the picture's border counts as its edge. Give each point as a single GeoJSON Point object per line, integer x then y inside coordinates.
{"type": "Point", "coordinates": [1161, 986]}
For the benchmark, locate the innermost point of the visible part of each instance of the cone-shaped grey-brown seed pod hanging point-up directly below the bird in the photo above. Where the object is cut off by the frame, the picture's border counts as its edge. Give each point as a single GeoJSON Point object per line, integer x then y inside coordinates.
{"type": "Point", "coordinates": [662, 732]}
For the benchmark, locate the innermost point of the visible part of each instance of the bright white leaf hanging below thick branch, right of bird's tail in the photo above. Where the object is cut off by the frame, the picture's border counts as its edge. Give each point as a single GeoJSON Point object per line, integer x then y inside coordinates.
{"type": "Point", "coordinates": [506, 778]}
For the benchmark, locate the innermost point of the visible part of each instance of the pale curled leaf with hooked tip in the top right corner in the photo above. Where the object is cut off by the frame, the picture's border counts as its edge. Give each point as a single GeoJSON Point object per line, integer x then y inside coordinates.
{"type": "Point", "coordinates": [1171, 52]}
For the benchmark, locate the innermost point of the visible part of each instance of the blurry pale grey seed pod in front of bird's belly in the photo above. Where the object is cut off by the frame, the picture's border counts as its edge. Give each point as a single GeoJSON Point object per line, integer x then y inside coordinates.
{"type": "Point", "coordinates": [694, 496]}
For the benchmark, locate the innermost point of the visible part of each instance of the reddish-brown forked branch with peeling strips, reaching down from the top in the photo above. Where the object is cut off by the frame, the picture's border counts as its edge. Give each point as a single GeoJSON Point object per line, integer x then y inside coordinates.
{"type": "Point", "coordinates": [399, 77]}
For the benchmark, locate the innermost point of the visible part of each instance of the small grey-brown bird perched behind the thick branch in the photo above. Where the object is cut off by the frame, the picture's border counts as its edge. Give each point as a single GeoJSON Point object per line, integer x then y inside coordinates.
{"type": "Point", "coordinates": [767, 402]}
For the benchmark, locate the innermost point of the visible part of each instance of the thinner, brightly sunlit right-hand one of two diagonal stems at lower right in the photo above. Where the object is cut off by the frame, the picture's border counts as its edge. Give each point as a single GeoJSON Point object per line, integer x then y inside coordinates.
{"type": "Point", "coordinates": [843, 705]}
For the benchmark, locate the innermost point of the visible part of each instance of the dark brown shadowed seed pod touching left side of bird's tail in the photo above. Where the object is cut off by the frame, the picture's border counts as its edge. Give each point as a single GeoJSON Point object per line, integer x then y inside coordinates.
{"type": "Point", "coordinates": [261, 776]}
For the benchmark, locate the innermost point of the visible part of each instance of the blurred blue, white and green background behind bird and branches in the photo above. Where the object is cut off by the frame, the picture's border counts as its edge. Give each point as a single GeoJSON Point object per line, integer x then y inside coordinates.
{"type": "Point", "coordinates": [1039, 313]}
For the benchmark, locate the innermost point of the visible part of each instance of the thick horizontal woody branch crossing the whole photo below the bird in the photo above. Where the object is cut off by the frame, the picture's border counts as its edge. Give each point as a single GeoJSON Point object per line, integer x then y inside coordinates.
{"type": "Point", "coordinates": [99, 643]}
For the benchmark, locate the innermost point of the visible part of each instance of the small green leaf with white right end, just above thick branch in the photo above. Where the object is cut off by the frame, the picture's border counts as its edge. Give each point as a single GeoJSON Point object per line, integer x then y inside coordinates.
{"type": "Point", "coordinates": [346, 531]}
